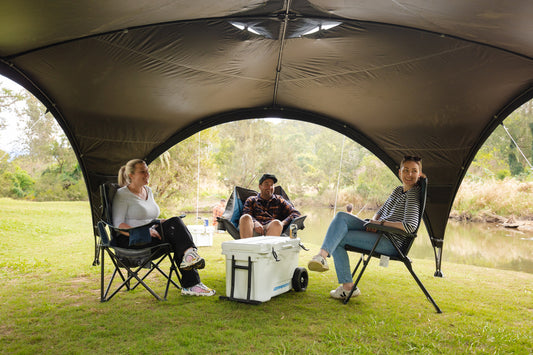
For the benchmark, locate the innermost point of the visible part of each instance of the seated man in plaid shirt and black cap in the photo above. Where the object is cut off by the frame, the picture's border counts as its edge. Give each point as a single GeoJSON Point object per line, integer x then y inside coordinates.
{"type": "Point", "coordinates": [266, 213]}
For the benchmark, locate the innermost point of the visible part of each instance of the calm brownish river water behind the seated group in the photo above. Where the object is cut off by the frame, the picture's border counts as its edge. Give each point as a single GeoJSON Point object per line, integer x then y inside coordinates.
{"type": "Point", "coordinates": [481, 244]}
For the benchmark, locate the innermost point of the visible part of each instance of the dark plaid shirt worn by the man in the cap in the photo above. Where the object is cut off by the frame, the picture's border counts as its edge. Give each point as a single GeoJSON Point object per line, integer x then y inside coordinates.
{"type": "Point", "coordinates": [264, 211]}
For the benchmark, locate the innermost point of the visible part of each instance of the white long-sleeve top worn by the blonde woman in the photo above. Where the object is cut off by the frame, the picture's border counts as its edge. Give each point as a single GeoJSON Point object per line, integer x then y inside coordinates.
{"type": "Point", "coordinates": [131, 209]}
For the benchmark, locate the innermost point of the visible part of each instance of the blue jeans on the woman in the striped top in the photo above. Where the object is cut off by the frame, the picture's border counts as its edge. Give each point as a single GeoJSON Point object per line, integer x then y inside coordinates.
{"type": "Point", "coordinates": [344, 229]}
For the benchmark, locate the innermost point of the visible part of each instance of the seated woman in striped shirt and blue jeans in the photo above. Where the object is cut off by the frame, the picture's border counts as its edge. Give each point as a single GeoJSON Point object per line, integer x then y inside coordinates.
{"type": "Point", "coordinates": [401, 210]}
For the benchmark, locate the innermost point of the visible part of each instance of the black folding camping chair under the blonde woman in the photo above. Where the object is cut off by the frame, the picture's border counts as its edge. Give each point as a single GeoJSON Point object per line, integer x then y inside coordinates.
{"type": "Point", "coordinates": [137, 263]}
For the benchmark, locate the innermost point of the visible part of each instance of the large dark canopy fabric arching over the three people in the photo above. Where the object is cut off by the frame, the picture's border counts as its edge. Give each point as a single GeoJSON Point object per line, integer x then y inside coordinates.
{"type": "Point", "coordinates": [130, 78]}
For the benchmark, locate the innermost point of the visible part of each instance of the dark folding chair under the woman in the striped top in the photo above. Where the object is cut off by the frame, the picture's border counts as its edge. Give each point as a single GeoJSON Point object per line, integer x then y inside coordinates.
{"type": "Point", "coordinates": [392, 243]}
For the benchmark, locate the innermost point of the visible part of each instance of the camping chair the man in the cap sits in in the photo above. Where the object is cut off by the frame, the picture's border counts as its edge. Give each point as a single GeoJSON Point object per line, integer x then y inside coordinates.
{"type": "Point", "coordinates": [233, 212]}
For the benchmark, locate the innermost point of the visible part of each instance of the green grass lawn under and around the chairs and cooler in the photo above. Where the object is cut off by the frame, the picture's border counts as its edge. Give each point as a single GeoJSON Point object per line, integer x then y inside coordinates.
{"type": "Point", "coordinates": [50, 303]}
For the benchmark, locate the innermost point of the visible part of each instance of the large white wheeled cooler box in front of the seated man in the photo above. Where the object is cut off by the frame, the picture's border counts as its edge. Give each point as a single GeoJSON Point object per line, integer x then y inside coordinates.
{"type": "Point", "coordinates": [259, 268]}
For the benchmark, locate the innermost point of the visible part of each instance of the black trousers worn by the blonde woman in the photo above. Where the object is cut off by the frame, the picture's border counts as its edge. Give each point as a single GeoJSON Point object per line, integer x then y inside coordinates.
{"type": "Point", "coordinates": [176, 233]}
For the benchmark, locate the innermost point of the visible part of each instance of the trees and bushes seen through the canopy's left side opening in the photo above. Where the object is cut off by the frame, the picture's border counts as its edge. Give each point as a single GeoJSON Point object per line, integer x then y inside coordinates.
{"type": "Point", "coordinates": [47, 169]}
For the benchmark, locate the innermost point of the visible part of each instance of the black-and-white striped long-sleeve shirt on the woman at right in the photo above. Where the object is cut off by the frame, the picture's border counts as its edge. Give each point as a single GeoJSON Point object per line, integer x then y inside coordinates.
{"type": "Point", "coordinates": [402, 207]}
